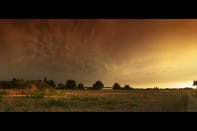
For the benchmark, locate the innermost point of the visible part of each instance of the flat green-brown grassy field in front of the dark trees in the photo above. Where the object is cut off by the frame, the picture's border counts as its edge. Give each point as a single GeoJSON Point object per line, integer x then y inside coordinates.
{"type": "Point", "coordinates": [95, 101]}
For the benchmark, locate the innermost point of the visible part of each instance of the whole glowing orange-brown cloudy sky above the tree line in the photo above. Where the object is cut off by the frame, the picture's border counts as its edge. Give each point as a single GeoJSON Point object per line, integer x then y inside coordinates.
{"type": "Point", "coordinates": [139, 52]}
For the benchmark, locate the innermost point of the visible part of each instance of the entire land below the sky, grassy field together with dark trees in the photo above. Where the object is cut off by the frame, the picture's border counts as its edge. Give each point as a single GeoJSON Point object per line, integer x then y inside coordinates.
{"type": "Point", "coordinates": [38, 95]}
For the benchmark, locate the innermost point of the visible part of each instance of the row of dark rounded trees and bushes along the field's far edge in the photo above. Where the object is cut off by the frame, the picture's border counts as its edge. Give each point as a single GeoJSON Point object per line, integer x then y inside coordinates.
{"type": "Point", "coordinates": [69, 84]}
